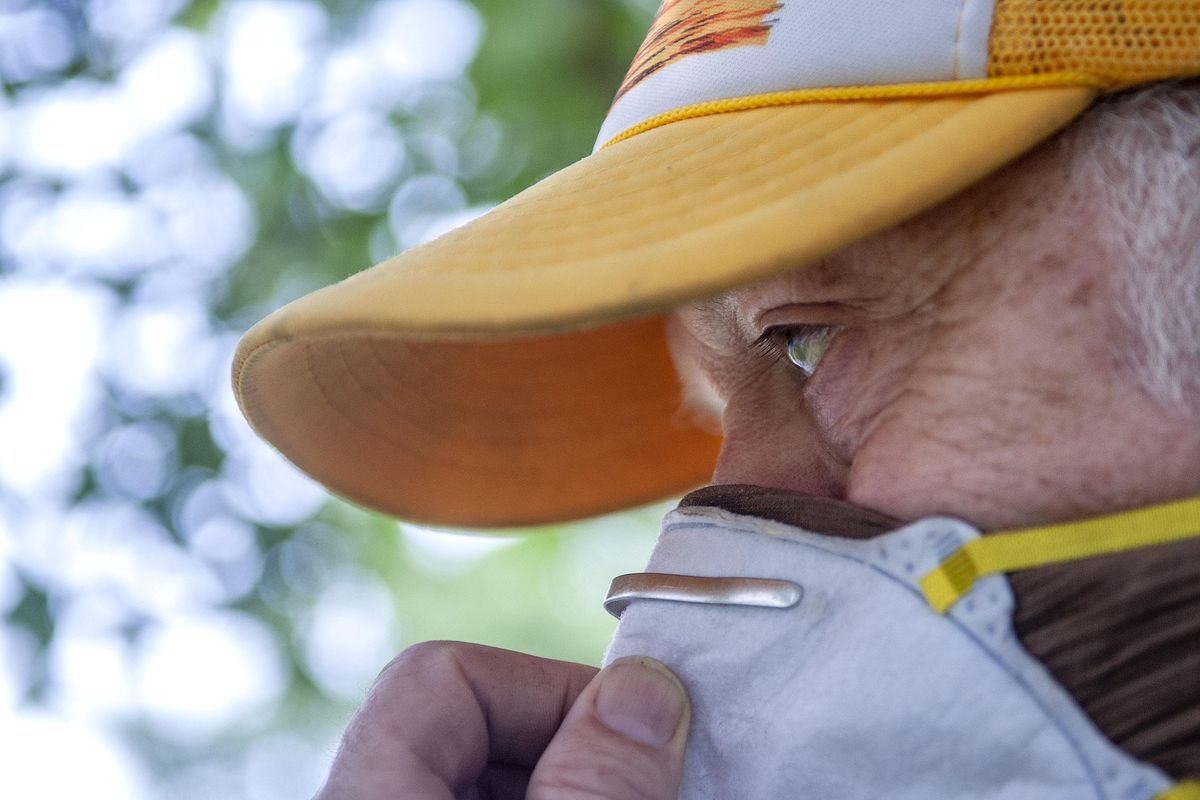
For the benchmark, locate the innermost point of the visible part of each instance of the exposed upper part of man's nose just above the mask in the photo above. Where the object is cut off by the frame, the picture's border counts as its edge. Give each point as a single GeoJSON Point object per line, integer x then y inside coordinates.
{"type": "Point", "coordinates": [771, 441]}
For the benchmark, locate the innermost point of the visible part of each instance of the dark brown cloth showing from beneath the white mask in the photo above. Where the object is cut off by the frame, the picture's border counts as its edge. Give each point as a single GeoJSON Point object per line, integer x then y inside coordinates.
{"type": "Point", "coordinates": [1120, 633]}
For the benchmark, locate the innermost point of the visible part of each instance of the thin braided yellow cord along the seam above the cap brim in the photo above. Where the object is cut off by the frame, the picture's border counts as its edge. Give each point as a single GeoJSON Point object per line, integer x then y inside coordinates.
{"type": "Point", "coordinates": [843, 94]}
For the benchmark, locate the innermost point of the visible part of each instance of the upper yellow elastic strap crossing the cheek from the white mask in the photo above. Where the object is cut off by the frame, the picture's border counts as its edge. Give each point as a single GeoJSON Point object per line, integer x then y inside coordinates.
{"type": "Point", "coordinates": [1072, 542]}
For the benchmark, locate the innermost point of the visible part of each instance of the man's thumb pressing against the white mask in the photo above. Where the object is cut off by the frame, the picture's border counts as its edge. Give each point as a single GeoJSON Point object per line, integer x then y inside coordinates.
{"type": "Point", "coordinates": [622, 741]}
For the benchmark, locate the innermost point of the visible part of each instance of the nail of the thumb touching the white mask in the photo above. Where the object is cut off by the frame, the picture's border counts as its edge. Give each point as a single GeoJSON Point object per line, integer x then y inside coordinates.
{"type": "Point", "coordinates": [641, 700]}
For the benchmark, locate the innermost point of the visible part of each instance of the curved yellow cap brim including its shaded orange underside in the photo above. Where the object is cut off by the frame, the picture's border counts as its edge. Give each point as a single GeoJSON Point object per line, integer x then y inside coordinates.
{"type": "Point", "coordinates": [513, 371]}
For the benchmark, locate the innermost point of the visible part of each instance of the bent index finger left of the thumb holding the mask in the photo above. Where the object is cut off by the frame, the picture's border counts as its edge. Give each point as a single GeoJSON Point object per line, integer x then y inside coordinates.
{"type": "Point", "coordinates": [442, 711]}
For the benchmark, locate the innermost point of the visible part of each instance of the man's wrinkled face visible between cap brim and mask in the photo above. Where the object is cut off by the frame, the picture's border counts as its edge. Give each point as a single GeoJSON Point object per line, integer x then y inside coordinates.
{"type": "Point", "coordinates": [979, 370]}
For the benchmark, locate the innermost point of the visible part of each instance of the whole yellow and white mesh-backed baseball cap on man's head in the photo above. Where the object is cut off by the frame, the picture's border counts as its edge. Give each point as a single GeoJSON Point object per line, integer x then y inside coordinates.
{"type": "Point", "coordinates": [515, 371]}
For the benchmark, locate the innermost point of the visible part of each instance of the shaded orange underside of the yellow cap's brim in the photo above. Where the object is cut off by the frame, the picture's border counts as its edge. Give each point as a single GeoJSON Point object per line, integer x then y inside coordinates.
{"type": "Point", "coordinates": [484, 435]}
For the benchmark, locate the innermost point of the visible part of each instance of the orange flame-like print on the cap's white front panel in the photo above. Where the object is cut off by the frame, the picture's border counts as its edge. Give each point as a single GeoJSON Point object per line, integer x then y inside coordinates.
{"type": "Point", "coordinates": [685, 28]}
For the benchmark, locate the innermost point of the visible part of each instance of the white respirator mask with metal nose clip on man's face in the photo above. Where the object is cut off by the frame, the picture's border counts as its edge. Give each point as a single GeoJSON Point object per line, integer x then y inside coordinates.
{"type": "Point", "coordinates": [857, 670]}
